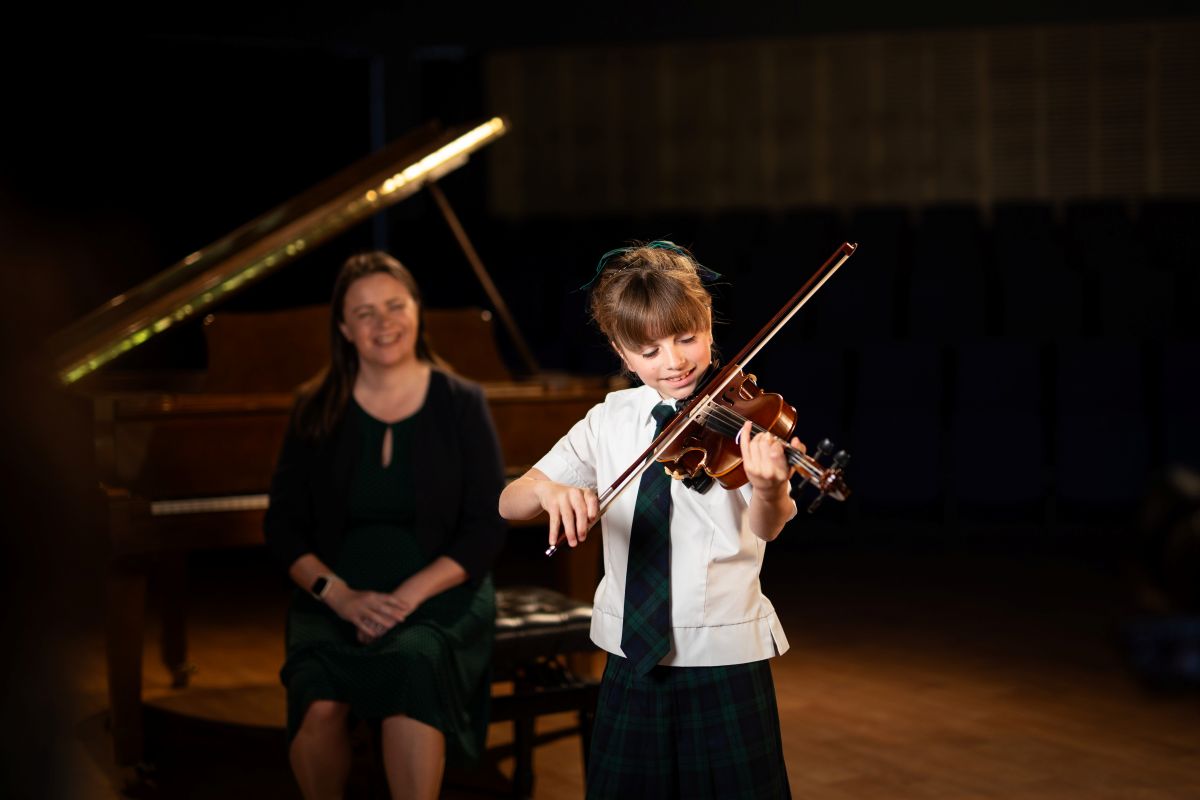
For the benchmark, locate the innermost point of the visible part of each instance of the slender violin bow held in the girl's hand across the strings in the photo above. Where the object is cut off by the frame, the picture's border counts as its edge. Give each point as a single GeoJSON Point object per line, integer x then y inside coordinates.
{"type": "Point", "coordinates": [701, 402]}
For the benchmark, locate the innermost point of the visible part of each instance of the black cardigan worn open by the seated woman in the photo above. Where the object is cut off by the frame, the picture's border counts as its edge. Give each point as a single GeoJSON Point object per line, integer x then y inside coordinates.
{"type": "Point", "coordinates": [459, 482]}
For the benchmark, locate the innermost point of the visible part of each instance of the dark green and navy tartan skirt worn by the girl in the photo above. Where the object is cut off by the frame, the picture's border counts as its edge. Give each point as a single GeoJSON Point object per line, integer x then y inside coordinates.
{"type": "Point", "coordinates": [687, 732]}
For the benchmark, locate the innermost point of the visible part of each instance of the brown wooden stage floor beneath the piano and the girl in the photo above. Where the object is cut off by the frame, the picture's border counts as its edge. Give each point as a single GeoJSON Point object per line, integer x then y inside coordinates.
{"type": "Point", "coordinates": [917, 672]}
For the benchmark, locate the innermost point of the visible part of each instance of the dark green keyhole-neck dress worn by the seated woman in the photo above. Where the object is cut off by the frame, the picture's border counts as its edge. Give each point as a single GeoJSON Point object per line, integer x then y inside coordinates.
{"type": "Point", "coordinates": [435, 666]}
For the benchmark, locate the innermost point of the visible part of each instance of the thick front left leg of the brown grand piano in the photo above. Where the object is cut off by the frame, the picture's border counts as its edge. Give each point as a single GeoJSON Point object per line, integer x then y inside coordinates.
{"type": "Point", "coordinates": [124, 628]}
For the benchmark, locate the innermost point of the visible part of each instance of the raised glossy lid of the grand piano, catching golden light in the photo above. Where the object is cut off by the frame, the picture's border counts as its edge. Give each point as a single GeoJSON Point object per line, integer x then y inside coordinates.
{"type": "Point", "coordinates": [206, 278]}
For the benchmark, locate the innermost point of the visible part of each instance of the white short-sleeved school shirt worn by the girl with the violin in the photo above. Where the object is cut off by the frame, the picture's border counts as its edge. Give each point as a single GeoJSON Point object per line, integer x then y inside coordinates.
{"type": "Point", "coordinates": [719, 615]}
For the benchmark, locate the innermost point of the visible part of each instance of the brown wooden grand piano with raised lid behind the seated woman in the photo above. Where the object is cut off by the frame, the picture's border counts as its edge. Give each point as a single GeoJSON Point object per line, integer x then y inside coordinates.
{"type": "Point", "coordinates": [184, 462]}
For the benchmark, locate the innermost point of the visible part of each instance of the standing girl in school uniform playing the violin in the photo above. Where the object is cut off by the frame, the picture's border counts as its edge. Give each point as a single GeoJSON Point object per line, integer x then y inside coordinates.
{"type": "Point", "coordinates": [687, 702]}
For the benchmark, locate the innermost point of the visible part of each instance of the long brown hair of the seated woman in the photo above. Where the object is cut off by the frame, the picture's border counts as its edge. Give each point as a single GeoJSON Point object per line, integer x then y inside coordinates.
{"type": "Point", "coordinates": [325, 399]}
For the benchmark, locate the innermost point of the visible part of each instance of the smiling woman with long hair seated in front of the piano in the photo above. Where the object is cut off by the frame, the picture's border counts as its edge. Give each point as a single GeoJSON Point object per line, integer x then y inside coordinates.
{"type": "Point", "coordinates": [383, 513]}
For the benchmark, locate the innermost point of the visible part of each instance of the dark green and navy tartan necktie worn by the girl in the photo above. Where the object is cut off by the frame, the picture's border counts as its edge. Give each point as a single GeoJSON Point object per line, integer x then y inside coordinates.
{"type": "Point", "coordinates": [646, 634]}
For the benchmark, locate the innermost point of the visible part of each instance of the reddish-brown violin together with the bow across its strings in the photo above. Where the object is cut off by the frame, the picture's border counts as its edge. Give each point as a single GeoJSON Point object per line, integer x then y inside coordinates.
{"type": "Point", "coordinates": [701, 441]}
